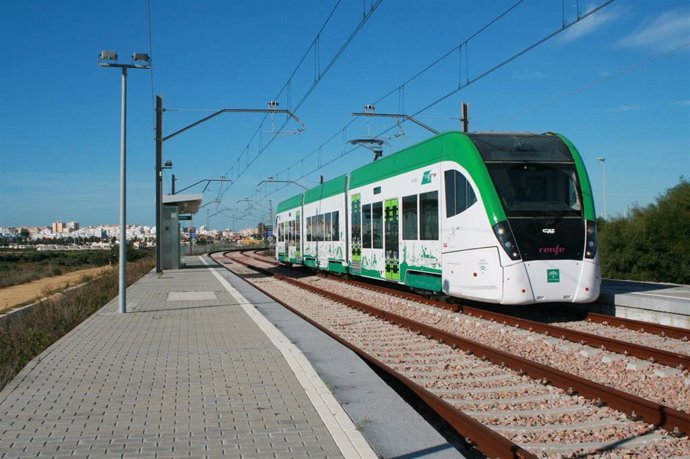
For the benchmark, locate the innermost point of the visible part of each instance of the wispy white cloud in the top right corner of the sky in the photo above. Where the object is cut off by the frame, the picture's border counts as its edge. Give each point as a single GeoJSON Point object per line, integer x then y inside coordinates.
{"type": "Point", "coordinates": [666, 31]}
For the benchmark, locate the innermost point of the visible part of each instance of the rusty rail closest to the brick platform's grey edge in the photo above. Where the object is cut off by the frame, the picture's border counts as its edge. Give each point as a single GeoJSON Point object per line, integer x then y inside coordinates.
{"type": "Point", "coordinates": [486, 440]}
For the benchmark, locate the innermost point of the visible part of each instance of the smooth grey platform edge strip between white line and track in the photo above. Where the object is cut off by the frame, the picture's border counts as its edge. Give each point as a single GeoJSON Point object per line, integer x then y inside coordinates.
{"type": "Point", "coordinates": [390, 425]}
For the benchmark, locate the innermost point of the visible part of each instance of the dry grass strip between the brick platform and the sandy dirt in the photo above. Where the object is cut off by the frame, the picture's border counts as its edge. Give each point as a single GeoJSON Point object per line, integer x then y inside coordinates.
{"type": "Point", "coordinates": [22, 338]}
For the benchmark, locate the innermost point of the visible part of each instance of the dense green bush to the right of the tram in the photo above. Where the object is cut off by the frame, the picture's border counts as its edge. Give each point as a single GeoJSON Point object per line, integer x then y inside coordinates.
{"type": "Point", "coordinates": [652, 243]}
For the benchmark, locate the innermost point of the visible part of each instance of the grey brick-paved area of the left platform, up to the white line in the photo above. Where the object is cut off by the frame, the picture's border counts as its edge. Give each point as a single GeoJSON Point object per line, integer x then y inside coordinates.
{"type": "Point", "coordinates": [185, 372]}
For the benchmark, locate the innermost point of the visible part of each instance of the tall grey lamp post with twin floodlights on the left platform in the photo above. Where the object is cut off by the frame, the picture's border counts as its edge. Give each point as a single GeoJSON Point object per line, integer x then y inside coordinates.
{"type": "Point", "coordinates": [141, 61]}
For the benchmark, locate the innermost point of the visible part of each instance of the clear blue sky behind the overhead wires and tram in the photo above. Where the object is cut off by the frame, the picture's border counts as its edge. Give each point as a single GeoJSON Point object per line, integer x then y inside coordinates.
{"type": "Point", "coordinates": [617, 84]}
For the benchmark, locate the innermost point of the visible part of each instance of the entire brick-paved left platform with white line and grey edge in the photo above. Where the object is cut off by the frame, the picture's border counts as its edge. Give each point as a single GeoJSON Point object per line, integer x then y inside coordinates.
{"type": "Point", "coordinates": [204, 365]}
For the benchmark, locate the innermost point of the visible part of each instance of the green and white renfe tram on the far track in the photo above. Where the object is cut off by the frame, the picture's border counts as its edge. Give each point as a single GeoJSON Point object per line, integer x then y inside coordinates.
{"type": "Point", "coordinates": [502, 218]}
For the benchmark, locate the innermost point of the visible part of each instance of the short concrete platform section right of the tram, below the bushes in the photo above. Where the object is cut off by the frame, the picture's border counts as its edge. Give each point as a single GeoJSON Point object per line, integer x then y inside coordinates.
{"type": "Point", "coordinates": [666, 304]}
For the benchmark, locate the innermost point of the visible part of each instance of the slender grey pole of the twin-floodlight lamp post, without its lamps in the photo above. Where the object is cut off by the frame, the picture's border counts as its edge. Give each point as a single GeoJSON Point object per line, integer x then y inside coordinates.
{"type": "Point", "coordinates": [123, 196]}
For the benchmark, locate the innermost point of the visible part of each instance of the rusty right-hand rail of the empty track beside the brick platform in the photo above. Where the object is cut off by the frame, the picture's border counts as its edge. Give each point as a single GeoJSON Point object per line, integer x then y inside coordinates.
{"type": "Point", "coordinates": [651, 412]}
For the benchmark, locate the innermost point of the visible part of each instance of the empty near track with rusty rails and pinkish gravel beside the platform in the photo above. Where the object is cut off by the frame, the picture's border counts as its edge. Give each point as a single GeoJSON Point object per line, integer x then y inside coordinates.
{"type": "Point", "coordinates": [527, 403]}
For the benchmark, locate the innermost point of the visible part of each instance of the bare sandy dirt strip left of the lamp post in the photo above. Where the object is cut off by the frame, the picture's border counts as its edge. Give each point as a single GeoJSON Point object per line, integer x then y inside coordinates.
{"type": "Point", "coordinates": [20, 294]}
